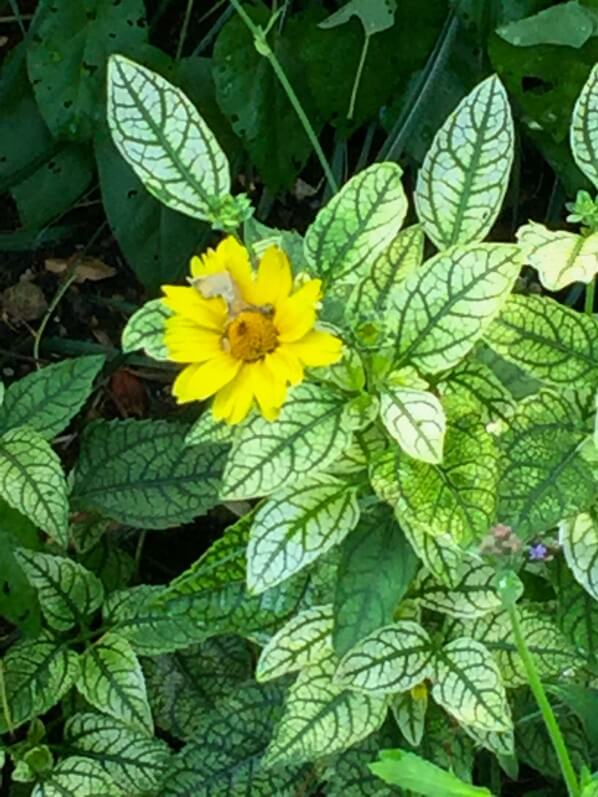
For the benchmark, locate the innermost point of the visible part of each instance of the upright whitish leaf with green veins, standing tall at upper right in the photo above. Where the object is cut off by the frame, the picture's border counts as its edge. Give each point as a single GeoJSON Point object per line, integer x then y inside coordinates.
{"type": "Point", "coordinates": [464, 176]}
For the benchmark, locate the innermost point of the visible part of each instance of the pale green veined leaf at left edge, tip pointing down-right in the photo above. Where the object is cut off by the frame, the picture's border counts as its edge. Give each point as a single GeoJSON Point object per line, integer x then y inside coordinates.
{"type": "Point", "coordinates": [32, 481]}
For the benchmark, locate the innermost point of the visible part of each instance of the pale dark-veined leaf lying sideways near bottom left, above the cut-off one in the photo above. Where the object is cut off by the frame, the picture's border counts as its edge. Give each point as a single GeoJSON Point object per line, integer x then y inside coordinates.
{"type": "Point", "coordinates": [134, 762]}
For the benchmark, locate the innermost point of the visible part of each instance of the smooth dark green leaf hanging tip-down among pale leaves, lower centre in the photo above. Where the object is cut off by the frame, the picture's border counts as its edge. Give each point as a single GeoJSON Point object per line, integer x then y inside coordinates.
{"type": "Point", "coordinates": [376, 567]}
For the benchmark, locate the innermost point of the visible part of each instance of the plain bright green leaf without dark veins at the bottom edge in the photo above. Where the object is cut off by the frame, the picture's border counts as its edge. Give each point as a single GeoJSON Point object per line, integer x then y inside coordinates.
{"type": "Point", "coordinates": [411, 772]}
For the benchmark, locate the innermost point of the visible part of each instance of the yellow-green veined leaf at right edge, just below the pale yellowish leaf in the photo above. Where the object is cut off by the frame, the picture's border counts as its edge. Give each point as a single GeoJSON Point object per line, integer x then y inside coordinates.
{"type": "Point", "coordinates": [550, 341]}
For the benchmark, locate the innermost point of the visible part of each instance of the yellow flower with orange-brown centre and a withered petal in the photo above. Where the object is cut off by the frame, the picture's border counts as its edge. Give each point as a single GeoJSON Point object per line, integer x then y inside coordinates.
{"type": "Point", "coordinates": [243, 335]}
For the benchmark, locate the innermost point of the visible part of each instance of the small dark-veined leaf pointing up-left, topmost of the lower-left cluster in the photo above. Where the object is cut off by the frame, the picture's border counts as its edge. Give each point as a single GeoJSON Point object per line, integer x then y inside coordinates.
{"type": "Point", "coordinates": [67, 591]}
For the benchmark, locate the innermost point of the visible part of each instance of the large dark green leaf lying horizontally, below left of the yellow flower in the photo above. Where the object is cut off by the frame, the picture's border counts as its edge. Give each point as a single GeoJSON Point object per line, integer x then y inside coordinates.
{"type": "Point", "coordinates": [140, 473]}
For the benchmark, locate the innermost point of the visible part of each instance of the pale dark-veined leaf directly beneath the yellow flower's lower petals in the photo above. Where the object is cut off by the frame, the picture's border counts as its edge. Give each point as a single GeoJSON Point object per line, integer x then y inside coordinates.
{"type": "Point", "coordinates": [310, 434]}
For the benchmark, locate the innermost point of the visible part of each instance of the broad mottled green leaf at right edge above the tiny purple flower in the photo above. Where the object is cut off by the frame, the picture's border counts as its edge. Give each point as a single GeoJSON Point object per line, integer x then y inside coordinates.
{"type": "Point", "coordinates": [544, 477]}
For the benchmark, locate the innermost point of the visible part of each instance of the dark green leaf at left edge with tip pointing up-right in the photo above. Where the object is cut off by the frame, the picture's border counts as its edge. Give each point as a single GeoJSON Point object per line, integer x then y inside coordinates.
{"type": "Point", "coordinates": [47, 400]}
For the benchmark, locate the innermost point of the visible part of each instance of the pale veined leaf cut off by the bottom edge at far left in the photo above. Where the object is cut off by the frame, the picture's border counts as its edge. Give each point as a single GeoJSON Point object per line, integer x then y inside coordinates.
{"type": "Point", "coordinates": [75, 776]}
